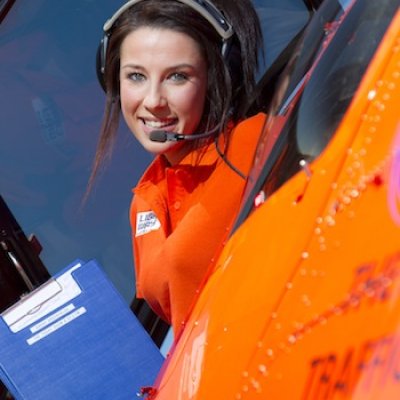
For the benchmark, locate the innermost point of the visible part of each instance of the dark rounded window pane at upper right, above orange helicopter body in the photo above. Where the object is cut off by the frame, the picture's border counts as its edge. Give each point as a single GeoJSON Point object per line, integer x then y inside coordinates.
{"type": "Point", "coordinates": [337, 76]}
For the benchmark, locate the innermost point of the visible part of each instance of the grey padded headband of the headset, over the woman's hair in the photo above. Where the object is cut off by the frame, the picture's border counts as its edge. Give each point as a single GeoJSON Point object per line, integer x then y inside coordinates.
{"type": "Point", "coordinates": [203, 7]}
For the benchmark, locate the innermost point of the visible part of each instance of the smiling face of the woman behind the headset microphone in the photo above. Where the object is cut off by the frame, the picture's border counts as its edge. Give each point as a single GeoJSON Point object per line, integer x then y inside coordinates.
{"type": "Point", "coordinates": [163, 78]}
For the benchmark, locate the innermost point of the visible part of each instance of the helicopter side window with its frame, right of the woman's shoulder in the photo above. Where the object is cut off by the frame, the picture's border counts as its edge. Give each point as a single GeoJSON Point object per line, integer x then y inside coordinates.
{"type": "Point", "coordinates": [311, 100]}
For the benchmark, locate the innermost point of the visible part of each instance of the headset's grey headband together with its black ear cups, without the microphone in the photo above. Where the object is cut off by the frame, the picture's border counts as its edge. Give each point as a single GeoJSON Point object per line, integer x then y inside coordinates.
{"type": "Point", "coordinates": [204, 7]}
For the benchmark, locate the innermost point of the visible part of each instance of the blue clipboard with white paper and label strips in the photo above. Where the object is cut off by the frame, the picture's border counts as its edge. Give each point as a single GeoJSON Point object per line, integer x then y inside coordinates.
{"type": "Point", "coordinates": [75, 337]}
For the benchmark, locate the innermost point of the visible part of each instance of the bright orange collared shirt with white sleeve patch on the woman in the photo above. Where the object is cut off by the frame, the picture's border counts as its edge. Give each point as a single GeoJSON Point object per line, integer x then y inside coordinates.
{"type": "Point", "coordinates": [181, 215]}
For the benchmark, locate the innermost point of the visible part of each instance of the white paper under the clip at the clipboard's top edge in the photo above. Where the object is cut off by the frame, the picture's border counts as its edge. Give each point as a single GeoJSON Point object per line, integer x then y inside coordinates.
{"type": "Point", "coordinates": [50, 296]}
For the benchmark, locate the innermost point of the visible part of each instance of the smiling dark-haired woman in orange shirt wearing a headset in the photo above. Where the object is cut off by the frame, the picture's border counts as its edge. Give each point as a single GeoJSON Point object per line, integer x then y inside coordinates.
{"type": "Point", "coordinates": [181, 72]}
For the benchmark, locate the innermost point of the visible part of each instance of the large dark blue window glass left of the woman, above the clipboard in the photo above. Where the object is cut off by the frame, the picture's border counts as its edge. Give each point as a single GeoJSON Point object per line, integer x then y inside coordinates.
{"type": "Point", "coordinates": [50, 111]}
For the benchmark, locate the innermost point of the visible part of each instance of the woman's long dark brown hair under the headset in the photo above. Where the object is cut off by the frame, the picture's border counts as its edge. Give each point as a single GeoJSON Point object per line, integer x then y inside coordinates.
{"type": "Point", "coordinates": [230, 81]}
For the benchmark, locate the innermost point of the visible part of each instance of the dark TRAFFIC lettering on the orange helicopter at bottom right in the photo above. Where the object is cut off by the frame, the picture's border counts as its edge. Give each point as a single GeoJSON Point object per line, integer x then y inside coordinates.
{"type": "Point", "coordinates": [373, 365]}
